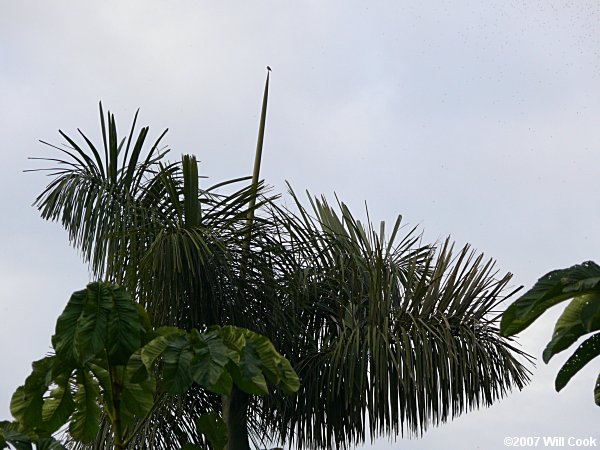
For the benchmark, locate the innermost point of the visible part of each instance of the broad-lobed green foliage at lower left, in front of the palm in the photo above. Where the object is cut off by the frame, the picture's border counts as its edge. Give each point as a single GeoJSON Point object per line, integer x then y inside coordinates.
{"type": "Point", "coordinates": [92, 374]}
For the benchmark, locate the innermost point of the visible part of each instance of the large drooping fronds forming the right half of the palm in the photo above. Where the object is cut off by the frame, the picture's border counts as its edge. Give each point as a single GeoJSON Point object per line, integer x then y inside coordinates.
{"type": "Point", "coordinates": [398, 336]}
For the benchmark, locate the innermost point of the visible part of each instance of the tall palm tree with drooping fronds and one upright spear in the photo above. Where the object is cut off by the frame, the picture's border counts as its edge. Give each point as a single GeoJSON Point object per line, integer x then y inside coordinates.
{"type": "Point", "coordinates": [387, 334]}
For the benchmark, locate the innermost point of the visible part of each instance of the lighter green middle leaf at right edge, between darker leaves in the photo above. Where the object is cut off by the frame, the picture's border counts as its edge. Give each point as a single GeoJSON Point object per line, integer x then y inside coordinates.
{"type": "Point", "coordinates": [570, 326]}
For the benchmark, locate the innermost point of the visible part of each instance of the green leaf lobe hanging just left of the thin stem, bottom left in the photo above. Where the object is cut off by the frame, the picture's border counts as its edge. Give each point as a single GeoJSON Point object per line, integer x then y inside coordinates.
{"type": "Point", "coordinates": [85, 421]}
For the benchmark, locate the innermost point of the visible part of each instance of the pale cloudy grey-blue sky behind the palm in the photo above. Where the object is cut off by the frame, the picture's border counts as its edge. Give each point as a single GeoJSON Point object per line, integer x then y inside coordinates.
{"type": "Point", "coordinates": [473, 119]}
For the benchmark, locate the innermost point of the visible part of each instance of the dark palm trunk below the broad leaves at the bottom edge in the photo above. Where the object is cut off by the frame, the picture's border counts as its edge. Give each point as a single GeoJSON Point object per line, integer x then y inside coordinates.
{"type": "Point", "coordinates": [235, 415]}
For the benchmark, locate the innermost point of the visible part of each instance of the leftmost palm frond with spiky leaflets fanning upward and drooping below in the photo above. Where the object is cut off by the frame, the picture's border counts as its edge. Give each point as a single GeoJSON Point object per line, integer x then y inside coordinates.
{"type": "Point", "coordinates": [97, 201]}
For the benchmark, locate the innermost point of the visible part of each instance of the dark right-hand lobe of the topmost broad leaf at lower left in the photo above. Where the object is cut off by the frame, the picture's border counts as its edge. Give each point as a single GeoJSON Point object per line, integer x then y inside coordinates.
{"type": "Point", "coordinates": [125, 327]}
